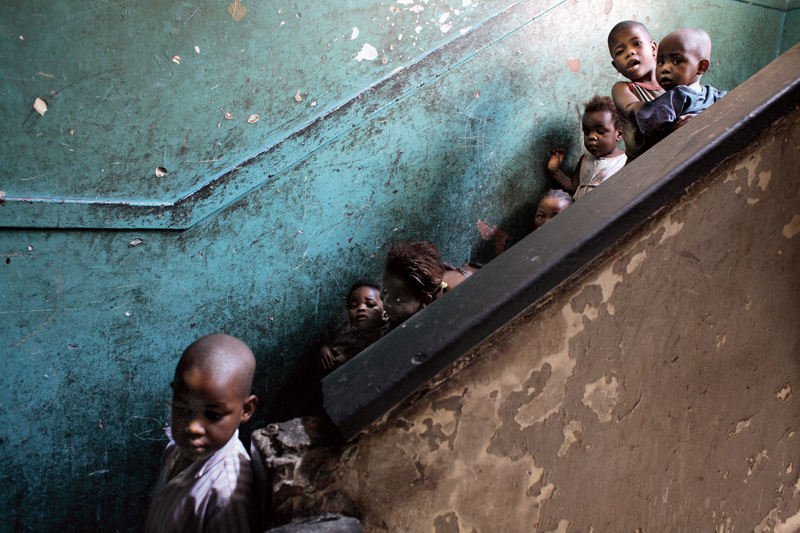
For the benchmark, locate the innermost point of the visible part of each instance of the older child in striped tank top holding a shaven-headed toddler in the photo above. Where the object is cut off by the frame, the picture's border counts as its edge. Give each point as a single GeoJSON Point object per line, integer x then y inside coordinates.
{"type": "Point", "coordinates": [633, 54]}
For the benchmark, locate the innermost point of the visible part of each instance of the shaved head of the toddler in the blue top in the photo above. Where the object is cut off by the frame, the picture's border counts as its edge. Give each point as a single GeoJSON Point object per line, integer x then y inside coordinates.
{"type": "Point", "coordinates": [683, 57]}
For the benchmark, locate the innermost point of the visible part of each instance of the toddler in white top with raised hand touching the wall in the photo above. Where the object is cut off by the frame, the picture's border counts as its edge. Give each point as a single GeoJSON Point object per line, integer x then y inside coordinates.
{"type": "Point", "coordinates": [602, 131]}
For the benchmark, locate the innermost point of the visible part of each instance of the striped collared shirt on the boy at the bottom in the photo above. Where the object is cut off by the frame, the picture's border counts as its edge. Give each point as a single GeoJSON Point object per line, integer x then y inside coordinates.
{"type": "Point", "coordinates": [210, 495]}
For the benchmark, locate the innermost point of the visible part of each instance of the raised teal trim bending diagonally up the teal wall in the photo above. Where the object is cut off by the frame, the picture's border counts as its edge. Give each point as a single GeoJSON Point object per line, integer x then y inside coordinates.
{"type": "Point", "coordinates": [260, 169]}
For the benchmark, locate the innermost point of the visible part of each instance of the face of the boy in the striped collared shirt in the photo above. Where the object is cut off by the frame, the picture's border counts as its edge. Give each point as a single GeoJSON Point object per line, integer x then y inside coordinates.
{"type": "Point", "coordinates": [206, 412]}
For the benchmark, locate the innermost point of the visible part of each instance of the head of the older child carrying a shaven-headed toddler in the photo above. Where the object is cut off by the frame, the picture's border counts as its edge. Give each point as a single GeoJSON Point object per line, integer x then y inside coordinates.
{"type": "Point", "coordinates": [633, 51]}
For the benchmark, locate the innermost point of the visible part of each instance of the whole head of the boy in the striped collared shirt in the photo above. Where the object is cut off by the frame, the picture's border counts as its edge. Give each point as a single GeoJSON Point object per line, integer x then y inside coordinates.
{"type": "Point", "coordinates": [211, 394]}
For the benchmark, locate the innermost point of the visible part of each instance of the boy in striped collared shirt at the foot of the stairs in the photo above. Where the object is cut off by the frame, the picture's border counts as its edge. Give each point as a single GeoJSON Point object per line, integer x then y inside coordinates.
{"type": "Point", "coordinates": [206, 479]}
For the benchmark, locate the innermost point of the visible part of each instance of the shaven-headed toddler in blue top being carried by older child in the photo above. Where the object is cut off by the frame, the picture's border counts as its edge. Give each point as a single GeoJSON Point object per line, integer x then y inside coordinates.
{"type": "Point", "coordinates": [682, 59]}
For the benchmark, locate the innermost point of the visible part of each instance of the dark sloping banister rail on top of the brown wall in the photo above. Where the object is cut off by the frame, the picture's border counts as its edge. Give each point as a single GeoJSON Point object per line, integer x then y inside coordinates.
{"type": "Point", "coordinates": [391, 370]}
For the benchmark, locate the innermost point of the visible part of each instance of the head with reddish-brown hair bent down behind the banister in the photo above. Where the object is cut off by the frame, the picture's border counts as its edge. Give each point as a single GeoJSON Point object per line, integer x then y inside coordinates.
{"type": "Point", "coordinates": [413, 276]}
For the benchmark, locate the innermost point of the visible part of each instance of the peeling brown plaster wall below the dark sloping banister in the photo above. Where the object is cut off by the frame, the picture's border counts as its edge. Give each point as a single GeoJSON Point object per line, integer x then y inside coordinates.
{"type": "Point", "coordinates": [657, 392]}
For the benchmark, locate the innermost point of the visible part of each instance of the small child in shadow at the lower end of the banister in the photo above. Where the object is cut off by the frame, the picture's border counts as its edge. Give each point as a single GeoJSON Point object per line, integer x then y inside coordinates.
{"type": "Point", "coordinates": [366, 322]}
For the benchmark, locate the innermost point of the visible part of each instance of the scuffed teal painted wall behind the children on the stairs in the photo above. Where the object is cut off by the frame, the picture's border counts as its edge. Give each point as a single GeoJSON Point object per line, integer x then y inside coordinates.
{"type": "Point", "coordinates": [92, 326]}
